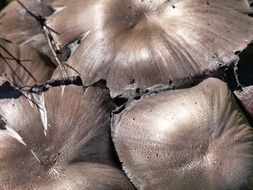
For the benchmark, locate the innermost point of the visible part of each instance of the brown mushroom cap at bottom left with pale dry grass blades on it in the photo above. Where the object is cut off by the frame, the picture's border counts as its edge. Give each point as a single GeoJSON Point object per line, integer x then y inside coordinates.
{"type": "Point", "coordinates": [57, 140]}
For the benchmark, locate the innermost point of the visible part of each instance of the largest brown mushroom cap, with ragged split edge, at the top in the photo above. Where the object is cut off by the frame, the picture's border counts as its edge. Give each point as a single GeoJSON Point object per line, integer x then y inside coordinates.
{"type": "Point", "coordinates": [137, 44]}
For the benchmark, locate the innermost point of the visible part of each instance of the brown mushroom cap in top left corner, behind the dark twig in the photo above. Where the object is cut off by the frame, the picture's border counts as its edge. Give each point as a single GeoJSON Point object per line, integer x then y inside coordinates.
{"type": "Point", "coordinates": [20, 27]}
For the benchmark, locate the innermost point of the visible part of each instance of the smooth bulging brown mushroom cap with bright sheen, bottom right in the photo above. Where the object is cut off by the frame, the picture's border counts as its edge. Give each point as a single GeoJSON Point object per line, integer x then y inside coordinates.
{"type": "Point", "coordinates": [194, 138]}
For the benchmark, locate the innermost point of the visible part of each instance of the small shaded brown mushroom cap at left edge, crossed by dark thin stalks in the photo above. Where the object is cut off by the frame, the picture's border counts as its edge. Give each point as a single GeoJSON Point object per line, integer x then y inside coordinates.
{"type": "Point", "coordinates": [23, 65]}
